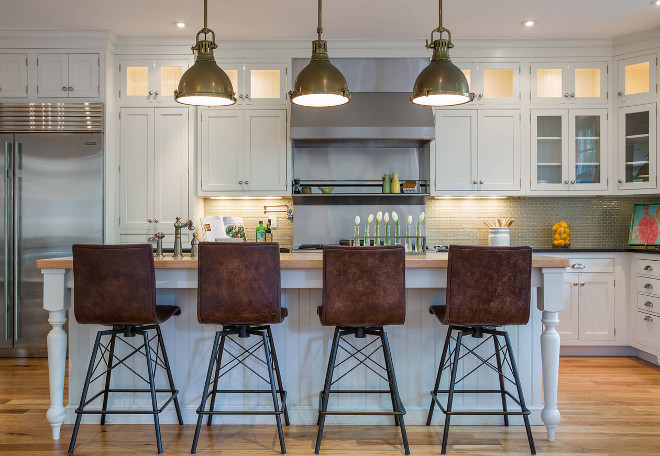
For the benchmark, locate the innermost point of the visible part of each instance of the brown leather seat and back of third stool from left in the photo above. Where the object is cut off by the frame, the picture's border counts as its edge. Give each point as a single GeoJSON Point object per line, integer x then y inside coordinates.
{"type": "Point", "coordinates": [363, 286]}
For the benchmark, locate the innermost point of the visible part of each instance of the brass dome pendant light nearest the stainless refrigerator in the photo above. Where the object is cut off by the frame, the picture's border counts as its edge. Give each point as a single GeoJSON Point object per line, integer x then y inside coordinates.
{"type": "Point", "coordinates": [204, 83]}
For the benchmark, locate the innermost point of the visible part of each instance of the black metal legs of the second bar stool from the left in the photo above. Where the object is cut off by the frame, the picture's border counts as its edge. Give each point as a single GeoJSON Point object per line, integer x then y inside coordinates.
{"type": "Point", "coordinates": [274, 378]}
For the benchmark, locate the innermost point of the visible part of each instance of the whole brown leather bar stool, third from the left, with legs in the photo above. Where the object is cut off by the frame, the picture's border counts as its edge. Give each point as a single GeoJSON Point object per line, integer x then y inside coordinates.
{"type": "Point", "coordinates": [363, 290]}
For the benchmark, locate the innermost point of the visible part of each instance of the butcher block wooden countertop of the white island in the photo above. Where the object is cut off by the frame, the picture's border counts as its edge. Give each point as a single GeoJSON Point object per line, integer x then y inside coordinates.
{"type": "Point", "coordinates": [313, 260]}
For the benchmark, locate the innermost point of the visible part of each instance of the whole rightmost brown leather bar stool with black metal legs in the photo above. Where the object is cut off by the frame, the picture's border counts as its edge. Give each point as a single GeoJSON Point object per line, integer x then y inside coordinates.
{"type": "Point", "coordinates": [487, 287]}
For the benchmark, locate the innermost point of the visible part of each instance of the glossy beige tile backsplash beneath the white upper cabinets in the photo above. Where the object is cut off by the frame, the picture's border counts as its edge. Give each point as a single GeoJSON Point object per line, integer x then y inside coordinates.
{"type": "Point", "coordinates": [595, 222]}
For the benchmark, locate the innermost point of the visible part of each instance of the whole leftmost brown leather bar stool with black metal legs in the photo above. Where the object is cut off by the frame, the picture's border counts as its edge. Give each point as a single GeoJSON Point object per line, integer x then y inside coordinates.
{"type": "Point", "coordinates": [115, 285]}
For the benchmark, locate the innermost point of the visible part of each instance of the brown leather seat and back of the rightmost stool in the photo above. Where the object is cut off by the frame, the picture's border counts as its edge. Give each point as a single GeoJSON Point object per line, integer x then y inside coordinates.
{"type": "Point", "coordinates": [488, 286]}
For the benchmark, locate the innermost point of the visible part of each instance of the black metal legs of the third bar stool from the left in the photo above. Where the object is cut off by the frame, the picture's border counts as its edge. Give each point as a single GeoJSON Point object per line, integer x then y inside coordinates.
{"type": "Point", "coordinates": [362, 358]}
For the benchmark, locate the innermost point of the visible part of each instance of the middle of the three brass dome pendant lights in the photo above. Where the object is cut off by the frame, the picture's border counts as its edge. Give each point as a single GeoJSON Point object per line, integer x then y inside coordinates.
{"type": "Point", "coordinates": [320, 84]}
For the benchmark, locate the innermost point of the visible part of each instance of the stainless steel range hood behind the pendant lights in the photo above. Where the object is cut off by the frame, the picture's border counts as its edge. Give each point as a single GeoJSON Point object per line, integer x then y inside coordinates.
{"type": "Point", "coordinates": [380, 107]}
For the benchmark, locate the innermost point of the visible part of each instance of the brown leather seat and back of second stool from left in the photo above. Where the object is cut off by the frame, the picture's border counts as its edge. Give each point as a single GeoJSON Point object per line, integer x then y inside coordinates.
{"type": "Point", "coordinates": [239, 283]}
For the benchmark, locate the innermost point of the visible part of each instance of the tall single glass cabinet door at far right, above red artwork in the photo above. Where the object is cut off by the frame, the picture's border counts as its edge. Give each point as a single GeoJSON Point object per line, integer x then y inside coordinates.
{"type": "Point", "coordinates": [637, 147]}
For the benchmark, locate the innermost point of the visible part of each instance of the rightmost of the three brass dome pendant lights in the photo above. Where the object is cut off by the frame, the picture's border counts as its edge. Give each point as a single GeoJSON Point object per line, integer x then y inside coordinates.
{"type": "Point", "coordinates": [441, 83]}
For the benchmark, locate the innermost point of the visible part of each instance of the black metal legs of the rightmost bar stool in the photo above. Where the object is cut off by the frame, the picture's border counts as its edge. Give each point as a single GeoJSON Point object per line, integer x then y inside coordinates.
{"type": "Point", "coordinates": [503, 354]}
